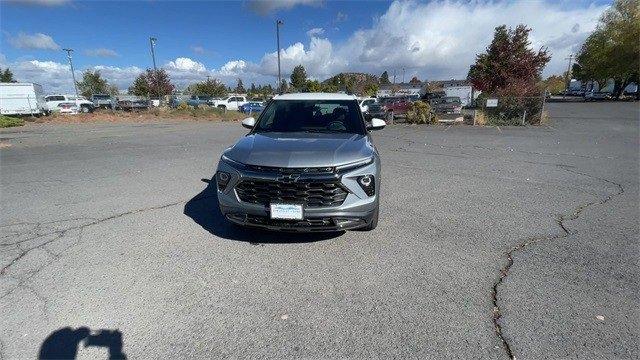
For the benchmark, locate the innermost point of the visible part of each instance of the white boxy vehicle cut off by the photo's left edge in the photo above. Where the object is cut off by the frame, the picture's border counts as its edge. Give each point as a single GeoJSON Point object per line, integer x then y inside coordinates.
{"type": "Point", "coordinates": [22, 99]}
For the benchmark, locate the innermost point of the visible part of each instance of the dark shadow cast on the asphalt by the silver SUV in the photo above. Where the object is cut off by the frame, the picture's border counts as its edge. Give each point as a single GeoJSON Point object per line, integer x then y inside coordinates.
{"type": "Point", "coordinates": [204, 210]}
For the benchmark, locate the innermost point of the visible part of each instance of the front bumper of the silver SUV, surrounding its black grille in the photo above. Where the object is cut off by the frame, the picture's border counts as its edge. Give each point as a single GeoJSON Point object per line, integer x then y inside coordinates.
{"type": "Point", "coordinates": [356, 211]}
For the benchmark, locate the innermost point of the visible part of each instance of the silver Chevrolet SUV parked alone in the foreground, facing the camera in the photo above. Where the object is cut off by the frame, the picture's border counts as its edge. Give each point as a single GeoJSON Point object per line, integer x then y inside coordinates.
{"type": "Point", "coordinates": [307, 164]}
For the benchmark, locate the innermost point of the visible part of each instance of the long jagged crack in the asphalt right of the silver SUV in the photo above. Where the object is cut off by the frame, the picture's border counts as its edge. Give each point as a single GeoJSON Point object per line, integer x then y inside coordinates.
{"type": "Point", "coordinates": [565, 232]}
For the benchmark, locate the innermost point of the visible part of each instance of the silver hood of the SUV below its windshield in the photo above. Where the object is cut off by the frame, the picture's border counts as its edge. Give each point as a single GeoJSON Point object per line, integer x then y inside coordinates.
{"type": "Point", "coordinates": [300, 149]}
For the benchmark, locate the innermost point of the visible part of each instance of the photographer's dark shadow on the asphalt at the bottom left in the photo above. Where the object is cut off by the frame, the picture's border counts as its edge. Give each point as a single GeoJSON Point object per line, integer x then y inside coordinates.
{"type": "Point", "coordinates": [63, 343]}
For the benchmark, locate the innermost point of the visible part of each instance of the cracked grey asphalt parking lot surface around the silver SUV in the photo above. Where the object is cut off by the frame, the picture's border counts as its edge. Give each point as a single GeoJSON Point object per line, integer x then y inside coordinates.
{"type": "Point", "coordinates": [532, 231]}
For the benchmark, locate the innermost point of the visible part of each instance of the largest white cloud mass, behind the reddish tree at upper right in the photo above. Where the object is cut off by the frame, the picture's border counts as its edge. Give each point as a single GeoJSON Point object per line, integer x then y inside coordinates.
{"type": "Point", "coordinates": [440, 39]}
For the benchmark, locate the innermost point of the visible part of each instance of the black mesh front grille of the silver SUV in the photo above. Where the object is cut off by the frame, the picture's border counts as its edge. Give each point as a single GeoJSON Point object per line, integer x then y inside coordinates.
{"type": "Point", "coordinates": [309, 193]}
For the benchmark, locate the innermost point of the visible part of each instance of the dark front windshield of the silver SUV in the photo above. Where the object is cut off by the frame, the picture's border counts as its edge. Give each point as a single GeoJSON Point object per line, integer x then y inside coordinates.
{"type": "Point", "coordinates": [340, 116]}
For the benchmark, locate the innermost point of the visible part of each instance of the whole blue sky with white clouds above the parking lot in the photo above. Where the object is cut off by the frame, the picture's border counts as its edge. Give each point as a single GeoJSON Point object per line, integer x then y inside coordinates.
{"type": "Point", "coordinates": [230, 40]}
